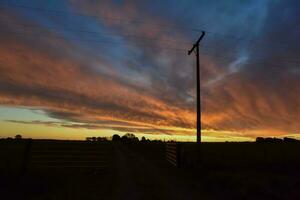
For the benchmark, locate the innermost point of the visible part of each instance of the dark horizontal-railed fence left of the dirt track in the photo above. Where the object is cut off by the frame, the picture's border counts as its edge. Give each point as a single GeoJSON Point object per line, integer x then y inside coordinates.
{"type": "Point", "coordinates": [32, 155]}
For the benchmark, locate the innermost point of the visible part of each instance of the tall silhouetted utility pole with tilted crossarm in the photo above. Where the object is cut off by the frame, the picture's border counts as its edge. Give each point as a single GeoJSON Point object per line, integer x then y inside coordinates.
{"type": "Point", "coordinates": [196, 46]}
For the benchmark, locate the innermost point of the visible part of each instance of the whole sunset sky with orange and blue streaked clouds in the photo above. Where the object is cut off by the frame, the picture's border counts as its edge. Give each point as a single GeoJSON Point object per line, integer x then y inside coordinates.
{"type": "Point", "coordinates": [71, 69]}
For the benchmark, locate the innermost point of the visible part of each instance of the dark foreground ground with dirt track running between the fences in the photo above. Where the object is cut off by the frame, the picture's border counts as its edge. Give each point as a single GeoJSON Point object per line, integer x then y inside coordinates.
{"type": "Point", "coordinates": [140, 171]}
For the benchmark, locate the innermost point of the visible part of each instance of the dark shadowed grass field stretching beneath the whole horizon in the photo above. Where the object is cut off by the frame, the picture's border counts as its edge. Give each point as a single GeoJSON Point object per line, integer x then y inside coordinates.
{"type": "Point", "coordinates": [107, 170]}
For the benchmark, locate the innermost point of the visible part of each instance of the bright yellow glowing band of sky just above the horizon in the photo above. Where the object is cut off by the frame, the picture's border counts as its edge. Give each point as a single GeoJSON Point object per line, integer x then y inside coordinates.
{"type": "Point", "coordinates": [42, 129]}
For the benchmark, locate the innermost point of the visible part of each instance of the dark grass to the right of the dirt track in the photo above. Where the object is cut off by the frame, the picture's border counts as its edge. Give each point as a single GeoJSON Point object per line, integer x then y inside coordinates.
{"type": "Point", "coordinates": [235, 170]}
